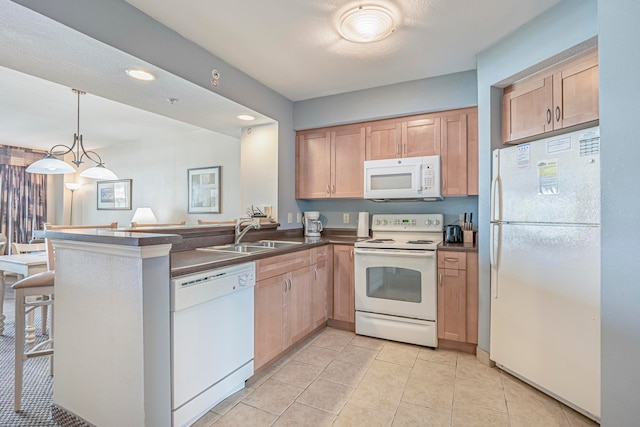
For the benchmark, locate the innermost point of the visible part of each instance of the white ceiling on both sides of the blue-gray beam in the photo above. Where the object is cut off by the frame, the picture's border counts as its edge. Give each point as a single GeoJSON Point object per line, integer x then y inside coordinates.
{"type": "Point", "coordinates": [290, 46]}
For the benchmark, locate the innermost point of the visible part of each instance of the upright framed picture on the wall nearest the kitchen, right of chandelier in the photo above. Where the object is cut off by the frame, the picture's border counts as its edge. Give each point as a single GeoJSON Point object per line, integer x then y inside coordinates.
{"type": "Point", "coordinates": [204, 189]}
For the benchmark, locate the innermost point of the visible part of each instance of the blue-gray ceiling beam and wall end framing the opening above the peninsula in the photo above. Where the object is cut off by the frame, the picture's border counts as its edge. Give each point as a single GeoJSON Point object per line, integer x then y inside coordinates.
{"type": "Point", "coordinates": [124, 27]}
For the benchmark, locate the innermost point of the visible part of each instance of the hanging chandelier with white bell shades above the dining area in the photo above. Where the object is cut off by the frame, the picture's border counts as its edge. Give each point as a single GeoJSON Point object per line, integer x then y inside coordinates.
{"type": "Point", "coordinates": [50, 165]}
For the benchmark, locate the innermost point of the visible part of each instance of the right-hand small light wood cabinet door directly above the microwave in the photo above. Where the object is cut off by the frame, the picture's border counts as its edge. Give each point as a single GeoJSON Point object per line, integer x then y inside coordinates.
{"type": "Point", "coordinates": [421, 137]}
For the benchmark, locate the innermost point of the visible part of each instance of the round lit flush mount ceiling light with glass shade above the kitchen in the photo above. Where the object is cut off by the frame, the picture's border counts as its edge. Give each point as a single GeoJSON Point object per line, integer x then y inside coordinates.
{"type": "Point", "coordinates": [366, 24]}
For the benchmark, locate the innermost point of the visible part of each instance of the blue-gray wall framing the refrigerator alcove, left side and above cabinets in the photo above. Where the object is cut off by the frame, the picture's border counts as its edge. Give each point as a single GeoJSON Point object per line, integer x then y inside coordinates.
{"type": "Point", "coordinates": [542, 41]}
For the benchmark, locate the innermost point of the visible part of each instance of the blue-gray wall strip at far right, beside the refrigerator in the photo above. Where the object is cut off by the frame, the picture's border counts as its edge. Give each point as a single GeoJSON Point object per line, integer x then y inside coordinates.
{"type": "Point", "coordinates": [619, 70]}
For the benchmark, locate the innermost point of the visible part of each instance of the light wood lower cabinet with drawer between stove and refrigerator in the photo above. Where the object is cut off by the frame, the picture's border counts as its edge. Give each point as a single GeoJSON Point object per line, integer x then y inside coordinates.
{"type": "Point", "coordinates": [458, 296]}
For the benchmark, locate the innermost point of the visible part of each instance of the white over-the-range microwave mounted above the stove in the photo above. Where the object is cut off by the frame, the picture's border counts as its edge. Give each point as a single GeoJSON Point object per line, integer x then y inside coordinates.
{"type": "Point", "coordinates": [411, 178]}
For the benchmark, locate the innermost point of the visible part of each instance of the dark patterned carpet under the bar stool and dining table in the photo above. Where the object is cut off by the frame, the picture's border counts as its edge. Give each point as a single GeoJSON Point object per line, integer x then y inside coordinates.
{"type": "Point", "coordinates": [37, 389]}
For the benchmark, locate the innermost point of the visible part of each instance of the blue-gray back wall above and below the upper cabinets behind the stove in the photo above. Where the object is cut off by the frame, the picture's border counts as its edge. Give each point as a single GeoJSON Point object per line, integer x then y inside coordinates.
{"type": "Point", "coordinates": [440, 93]}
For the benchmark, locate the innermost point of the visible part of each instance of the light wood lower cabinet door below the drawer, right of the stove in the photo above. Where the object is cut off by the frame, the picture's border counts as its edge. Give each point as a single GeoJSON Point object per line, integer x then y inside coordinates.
{"type": "Point", "coordinates": [452, 305]}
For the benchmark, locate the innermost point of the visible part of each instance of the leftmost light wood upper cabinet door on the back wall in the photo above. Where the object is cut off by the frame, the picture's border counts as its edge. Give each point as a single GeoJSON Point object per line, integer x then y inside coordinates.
{"type": "Point", "coordinates": [313, 165]}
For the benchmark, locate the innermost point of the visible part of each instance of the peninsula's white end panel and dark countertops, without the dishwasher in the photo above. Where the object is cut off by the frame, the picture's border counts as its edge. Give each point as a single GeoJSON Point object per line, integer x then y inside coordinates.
{"type": "Point", "coordinates": [112, 336]}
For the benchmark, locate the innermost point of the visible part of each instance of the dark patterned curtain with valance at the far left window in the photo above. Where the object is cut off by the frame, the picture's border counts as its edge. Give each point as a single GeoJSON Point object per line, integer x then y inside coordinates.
{"type": "Point", "coordinates": [23, 195]}
